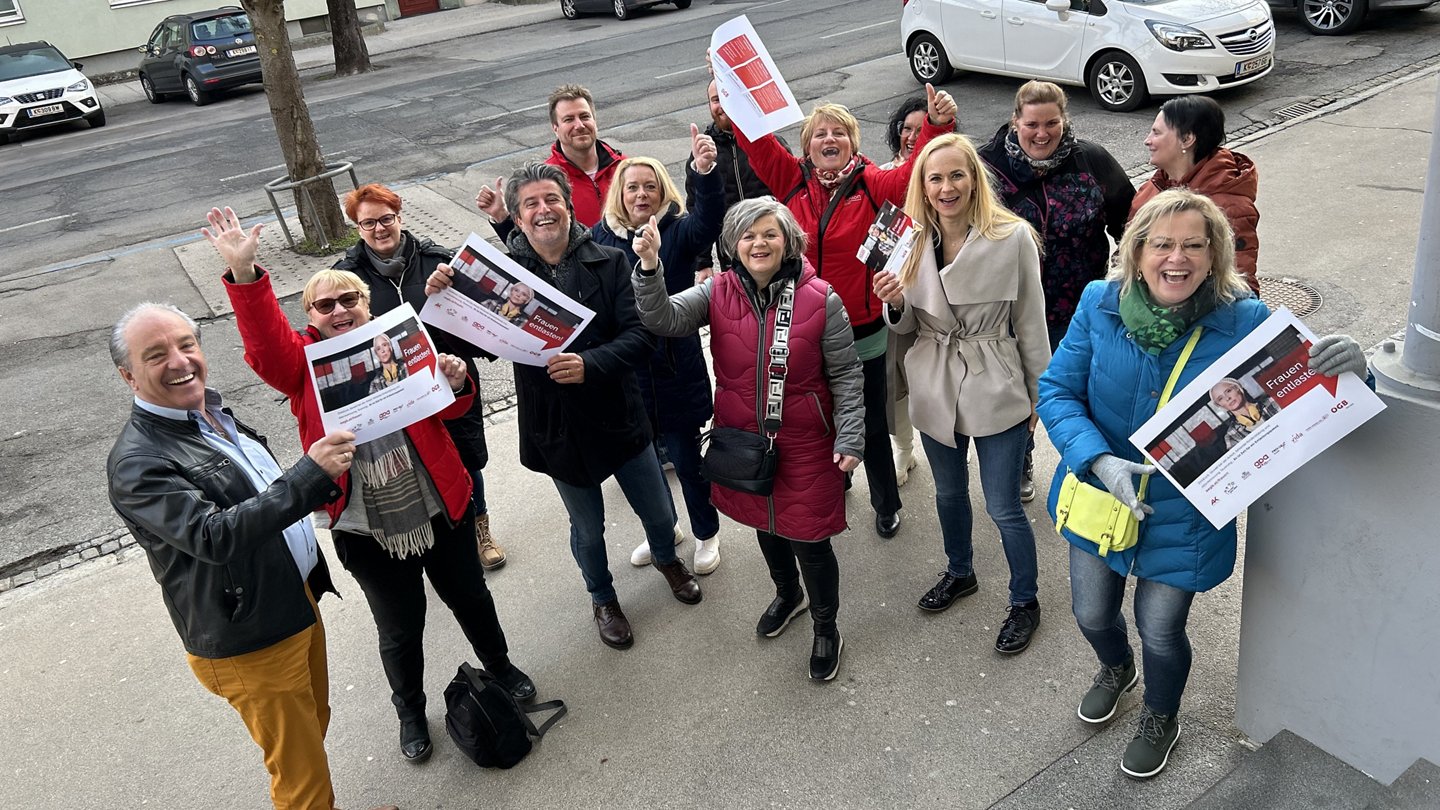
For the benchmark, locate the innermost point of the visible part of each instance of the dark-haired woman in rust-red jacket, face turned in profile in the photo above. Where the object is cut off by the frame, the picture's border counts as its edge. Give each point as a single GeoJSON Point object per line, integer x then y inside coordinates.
{"type": "Point", "coordinates": [1186, 151]}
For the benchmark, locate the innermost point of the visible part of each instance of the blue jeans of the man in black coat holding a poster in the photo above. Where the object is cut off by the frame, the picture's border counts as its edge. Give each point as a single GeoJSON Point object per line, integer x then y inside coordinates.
{"type": "Point", "coordinates": [646, 491]}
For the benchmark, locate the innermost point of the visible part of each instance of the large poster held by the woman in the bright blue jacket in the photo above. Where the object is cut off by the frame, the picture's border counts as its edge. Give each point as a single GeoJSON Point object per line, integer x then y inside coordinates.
{"type": "Point", "coordinates": [1252, 419]}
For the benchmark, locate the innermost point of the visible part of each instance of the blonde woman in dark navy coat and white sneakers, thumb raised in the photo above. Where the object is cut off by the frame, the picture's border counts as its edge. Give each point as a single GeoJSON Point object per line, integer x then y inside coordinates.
{"type": "Point", "coordinates": [675, 384]}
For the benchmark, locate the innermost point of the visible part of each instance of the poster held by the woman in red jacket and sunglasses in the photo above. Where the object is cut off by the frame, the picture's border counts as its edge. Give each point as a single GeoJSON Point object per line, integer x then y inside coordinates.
{"type": "Point", "coordinates": [378, 378]}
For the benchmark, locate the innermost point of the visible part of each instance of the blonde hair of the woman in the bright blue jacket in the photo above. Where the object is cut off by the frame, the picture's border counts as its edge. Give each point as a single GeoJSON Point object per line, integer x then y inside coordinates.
{"type": "Point", "coordinates": [1229, 283]}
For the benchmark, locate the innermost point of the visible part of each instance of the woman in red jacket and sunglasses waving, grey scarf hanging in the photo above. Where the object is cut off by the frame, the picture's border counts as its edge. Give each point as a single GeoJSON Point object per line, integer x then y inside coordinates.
{"type": "Point", "coordinates": [407, 511]}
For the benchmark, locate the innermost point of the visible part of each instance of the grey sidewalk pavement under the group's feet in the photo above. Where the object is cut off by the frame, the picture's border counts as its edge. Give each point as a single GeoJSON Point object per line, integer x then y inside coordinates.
{"type": "Point", "coordinates": [100, 708]}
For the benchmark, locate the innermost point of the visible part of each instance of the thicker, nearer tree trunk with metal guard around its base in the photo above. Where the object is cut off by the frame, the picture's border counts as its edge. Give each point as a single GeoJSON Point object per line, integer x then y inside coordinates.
{"type": "Point", "coordinates": [325, 223]}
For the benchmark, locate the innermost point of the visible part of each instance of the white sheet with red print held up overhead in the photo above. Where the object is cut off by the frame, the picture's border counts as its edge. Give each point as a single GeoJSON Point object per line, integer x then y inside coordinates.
{"type": "Point", "coordinates": [752, 92]}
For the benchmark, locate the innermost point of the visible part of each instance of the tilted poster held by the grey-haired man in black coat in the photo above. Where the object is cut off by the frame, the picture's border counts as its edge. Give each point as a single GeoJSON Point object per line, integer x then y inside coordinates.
{"type": "Point", "coordinates": [505, 309]}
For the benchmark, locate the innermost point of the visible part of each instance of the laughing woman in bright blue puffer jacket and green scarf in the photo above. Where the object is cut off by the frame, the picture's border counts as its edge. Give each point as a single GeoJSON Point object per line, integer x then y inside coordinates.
{"type": "Point", "coordinates": [1176, 283]}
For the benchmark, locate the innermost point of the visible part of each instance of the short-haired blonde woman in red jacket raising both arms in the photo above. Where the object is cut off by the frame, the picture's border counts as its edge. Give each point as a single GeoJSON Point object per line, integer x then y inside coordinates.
{"type": "Point", "coordinates": [836, 194]}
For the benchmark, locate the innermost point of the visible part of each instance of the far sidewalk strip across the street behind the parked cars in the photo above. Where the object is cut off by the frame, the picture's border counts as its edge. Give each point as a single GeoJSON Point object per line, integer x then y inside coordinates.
{"type": "Point", "coordinates": [397, 35]}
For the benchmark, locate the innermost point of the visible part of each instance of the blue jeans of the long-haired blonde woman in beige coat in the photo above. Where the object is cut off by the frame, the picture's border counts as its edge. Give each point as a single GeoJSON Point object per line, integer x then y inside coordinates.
{"type": "Point", "coordinates": [1002, 458]}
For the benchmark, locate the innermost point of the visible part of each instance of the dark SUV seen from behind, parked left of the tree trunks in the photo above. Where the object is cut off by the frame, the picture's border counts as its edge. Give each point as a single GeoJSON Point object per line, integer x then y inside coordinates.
{"type": "Point", "coordinates": [199, 54]}
